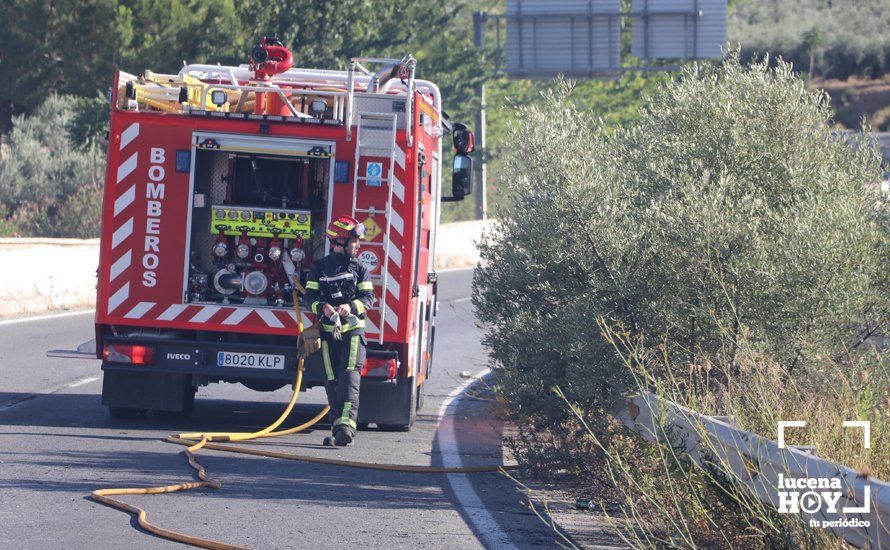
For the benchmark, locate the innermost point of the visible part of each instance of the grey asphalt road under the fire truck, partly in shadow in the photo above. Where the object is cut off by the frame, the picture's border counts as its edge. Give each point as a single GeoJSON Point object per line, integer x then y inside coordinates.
{"type": "Point", "coordinates": [57, 444]}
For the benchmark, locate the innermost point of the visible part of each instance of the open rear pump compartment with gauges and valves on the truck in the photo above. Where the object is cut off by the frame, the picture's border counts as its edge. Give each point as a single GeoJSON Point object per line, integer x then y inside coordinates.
{"type": "Point", "coordinates": [253, 213]}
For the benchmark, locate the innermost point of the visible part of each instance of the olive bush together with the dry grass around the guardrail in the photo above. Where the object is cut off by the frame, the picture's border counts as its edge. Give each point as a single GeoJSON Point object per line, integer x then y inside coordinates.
{"type": "Point", "coordinates": [725, 249]}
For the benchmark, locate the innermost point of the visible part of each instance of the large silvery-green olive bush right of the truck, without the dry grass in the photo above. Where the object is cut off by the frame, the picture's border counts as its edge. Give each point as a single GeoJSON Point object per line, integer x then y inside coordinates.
{"type": "Point", "coordinates": [727, 213]}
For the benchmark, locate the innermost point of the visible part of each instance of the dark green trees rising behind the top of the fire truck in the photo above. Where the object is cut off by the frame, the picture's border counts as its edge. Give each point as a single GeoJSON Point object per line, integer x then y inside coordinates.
{"type": "Point", "coordinates": [75, 47]}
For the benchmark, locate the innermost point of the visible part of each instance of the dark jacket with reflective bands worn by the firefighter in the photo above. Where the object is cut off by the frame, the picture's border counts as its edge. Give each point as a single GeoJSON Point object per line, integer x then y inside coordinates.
{"type": "Point", "coordinates": [337, 279]}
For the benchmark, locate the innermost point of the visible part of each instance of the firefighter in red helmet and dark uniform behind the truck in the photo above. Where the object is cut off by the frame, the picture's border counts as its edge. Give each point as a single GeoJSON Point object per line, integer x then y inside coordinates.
{"type": "Point", "coordinates": [340, 291]}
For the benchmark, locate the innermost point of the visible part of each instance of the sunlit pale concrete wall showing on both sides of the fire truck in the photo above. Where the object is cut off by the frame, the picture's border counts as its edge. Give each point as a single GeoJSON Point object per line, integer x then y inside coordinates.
{"type": "Point", "coordinates": [45, 275]}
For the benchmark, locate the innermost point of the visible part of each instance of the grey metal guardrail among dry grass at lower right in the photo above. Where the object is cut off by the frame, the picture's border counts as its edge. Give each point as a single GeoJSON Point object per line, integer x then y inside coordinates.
{"type": "Point", "coordinates": [756, 462]}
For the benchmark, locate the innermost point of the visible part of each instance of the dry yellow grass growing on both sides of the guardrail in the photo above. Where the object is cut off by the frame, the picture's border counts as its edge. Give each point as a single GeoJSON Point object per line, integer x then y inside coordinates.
{"type": "Point", "coordinates": [672, 503]}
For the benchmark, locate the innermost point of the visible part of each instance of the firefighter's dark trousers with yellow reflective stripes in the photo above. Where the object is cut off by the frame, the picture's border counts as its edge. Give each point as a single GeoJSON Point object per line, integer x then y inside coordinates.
{"type": "Point", "coordinates": [343, 361]}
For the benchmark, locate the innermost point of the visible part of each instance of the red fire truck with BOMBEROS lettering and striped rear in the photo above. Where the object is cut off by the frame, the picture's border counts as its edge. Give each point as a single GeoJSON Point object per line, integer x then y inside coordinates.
{"type": "Point", "coordinates": [219, 186]}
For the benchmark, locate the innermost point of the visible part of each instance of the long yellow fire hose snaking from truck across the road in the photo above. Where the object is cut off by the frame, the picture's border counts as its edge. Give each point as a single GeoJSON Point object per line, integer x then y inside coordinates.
{"type": "Point", "coordinates": [205, 440]}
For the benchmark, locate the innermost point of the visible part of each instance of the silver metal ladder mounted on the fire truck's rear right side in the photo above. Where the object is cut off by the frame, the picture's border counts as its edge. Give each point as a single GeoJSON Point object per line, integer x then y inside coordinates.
{"type": "Point", "coordinates": [376, 137]}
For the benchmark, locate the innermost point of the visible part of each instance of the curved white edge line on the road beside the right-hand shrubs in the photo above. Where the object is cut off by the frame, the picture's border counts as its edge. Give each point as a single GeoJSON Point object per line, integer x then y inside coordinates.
{"type": "Point", "coordinates": [488, 529]}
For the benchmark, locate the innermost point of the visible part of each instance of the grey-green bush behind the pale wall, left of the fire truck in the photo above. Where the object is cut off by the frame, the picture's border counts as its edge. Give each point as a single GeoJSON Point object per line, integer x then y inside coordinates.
{"type": "Point", "coordinates": [48, 181]}
